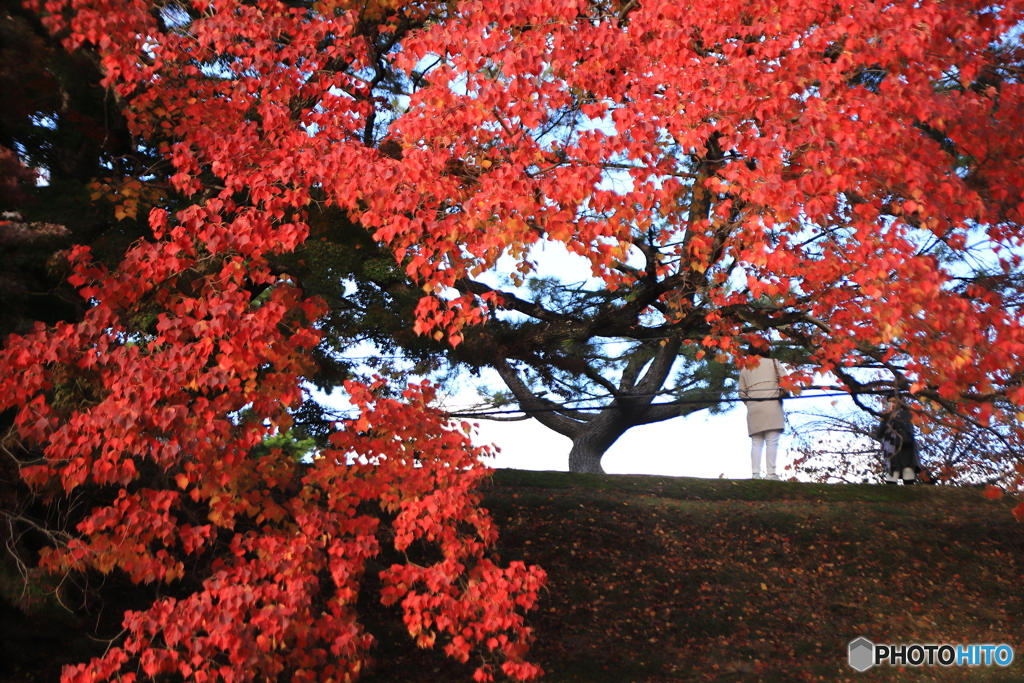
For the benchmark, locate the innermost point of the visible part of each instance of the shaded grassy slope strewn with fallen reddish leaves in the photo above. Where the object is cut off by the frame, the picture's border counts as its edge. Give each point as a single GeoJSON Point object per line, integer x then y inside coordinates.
{"type": "Point", "coordinates": [664, 579]}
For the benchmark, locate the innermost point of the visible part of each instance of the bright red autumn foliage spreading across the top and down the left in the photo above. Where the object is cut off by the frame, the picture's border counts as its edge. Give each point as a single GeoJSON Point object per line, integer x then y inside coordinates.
{"type": "Point", "coordinates": [795, 158]}
